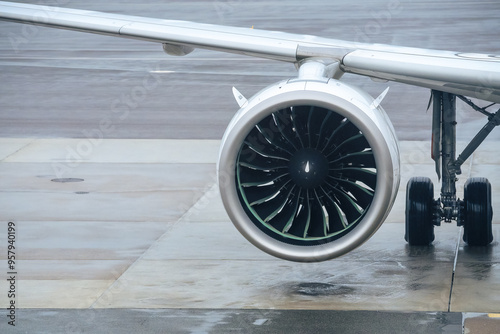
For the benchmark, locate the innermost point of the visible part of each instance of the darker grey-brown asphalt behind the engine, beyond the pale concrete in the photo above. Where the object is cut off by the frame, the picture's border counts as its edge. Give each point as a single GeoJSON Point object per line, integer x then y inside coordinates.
{"type": "Point", "coordinates": [56, 83]}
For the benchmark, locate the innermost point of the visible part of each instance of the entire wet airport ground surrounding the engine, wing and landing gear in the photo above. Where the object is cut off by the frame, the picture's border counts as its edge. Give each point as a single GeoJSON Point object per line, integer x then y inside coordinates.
{"type": "Point", "coordinates": [134, 235]}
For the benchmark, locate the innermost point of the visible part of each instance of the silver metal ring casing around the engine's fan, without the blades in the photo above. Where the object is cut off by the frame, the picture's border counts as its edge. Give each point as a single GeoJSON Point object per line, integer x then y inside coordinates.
{"type": "Point", "coordinates": [357, 110]}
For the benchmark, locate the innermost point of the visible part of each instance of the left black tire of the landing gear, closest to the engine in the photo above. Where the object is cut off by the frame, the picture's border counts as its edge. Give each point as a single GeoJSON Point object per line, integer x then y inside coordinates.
{"type": "Point", "coordinates": [419, 211]}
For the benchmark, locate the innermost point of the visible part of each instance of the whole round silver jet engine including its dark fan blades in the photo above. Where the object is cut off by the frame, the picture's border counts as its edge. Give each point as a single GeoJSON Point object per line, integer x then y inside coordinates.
{"type": "Point", "coordinates": [309, 169]}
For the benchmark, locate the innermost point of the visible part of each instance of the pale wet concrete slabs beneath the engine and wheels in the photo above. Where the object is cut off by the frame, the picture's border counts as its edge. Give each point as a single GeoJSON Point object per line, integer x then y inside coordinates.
{"type": "Point", "coordinates": [139, 224]}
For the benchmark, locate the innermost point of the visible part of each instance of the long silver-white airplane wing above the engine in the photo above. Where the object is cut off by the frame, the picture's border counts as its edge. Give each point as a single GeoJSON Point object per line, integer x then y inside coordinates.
{"type": "Point", "coordinates": [474, 75]}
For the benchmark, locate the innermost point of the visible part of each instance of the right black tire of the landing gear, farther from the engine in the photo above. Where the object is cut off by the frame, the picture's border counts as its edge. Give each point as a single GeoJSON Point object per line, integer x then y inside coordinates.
{"type": "Point", "coordinates": [478, 212]}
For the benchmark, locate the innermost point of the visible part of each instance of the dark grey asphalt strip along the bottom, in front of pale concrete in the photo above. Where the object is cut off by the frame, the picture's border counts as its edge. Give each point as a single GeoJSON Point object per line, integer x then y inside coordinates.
{"type": "Point", "coordinates": [195, 321]}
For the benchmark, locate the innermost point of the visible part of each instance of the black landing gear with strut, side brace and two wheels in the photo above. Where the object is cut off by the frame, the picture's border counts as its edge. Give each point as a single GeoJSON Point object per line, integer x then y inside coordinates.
{"type": "Point", "coordinates": [474, 212]}
